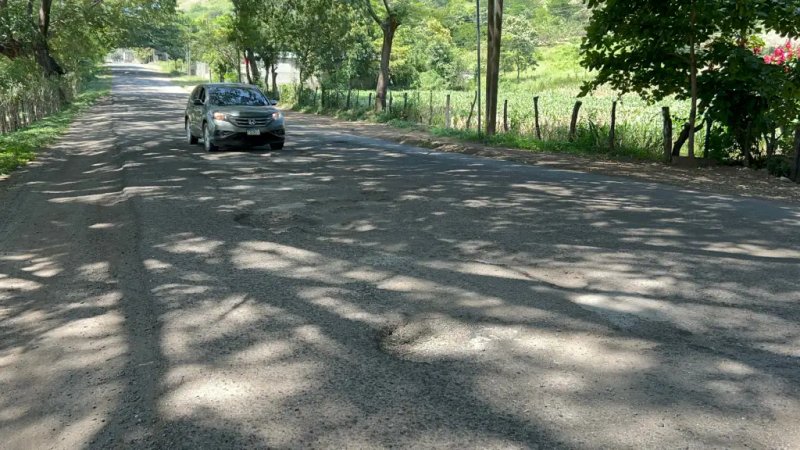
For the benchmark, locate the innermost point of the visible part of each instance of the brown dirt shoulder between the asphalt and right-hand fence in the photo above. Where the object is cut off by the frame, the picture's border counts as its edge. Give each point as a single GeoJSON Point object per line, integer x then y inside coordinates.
{"type": "Point", "coordinates": [714, 180]}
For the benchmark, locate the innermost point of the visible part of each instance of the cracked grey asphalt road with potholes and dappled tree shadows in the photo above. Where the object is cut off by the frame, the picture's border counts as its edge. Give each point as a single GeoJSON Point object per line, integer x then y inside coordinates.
{"type": "Point", "coordinates": [349, 292]}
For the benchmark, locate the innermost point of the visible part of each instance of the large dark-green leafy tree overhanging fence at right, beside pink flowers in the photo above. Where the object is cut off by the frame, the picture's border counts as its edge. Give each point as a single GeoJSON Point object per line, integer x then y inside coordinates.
{"type": "Point", "coordinates": [694, 49]}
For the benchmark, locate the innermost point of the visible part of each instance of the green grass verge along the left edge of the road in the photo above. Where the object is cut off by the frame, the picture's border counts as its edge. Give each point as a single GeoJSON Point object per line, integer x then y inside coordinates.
{"type": "Point", "coordinates": [20, 147]}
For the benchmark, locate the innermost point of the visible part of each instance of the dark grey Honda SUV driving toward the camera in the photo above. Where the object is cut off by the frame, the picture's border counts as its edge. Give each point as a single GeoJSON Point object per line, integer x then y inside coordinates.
{"type": "Point", "coordinates": [232, 114]}
